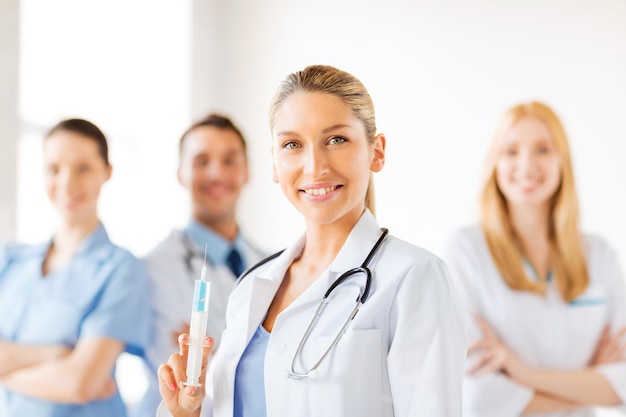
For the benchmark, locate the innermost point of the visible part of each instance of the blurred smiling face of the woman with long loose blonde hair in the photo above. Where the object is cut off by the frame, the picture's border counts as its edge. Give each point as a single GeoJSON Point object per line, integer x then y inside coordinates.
{"type": "Point", "coordinates": [528, 168]}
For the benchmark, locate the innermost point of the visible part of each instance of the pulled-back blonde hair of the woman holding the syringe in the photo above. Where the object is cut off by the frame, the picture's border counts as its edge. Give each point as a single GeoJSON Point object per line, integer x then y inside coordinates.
{"type": "Point", "coordinates": [330, 80]}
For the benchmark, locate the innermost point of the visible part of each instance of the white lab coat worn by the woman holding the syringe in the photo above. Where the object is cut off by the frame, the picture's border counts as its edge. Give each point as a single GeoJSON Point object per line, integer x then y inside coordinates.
{"type": "Point", "coordinates": [403, 354]}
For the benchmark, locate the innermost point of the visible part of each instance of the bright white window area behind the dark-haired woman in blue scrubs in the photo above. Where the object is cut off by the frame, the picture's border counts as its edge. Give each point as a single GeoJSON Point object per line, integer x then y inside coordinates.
{"type": "Point", "coordinates": [124, 65]}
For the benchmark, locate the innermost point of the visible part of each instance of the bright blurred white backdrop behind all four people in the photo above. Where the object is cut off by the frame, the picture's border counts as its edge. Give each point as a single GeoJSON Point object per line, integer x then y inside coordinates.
{"type": "Point", "coordinates": [440, 73]}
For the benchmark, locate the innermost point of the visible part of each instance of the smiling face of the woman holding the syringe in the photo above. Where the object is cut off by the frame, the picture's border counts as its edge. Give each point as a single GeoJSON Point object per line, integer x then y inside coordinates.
{"type": "Point", "coordinates": [323, 158]}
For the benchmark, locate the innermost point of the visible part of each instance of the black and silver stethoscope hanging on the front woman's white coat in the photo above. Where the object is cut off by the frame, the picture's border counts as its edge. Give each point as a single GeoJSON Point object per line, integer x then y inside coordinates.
{"type": "Point", "coordinates": [330, 293]}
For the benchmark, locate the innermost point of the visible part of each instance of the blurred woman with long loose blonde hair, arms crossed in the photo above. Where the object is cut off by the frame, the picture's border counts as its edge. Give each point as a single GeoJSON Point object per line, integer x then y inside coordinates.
{"type": "Point", "coordinates": [548, 301]}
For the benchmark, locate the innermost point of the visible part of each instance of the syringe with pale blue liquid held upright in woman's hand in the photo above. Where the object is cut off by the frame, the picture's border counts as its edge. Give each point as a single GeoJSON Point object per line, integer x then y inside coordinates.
{"type": "Point", "coordinates": [197, 327]}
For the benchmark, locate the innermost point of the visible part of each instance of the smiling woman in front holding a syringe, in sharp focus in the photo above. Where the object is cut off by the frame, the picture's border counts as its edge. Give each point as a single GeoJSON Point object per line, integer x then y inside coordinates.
{"type": "Point", "coordinates": [403, 352]}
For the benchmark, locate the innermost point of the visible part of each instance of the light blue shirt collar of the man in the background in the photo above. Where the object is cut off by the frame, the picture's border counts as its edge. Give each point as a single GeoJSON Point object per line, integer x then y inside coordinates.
{"type": "Point", "coordinates": [218, 248]}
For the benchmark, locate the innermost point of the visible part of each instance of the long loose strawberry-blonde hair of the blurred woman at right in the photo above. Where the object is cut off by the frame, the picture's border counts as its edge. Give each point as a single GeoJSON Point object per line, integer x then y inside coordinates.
{"type": "Point", "coordinates": [569, 268]}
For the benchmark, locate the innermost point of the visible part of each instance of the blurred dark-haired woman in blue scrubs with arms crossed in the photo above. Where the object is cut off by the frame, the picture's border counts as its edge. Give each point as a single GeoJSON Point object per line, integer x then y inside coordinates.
{"type": "Point", "coordinates": [70, 306]}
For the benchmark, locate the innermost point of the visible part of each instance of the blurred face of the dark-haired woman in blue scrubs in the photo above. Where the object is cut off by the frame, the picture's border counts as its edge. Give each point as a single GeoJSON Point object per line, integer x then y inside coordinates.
{"type": "Point", "coordinates": [74, 172]}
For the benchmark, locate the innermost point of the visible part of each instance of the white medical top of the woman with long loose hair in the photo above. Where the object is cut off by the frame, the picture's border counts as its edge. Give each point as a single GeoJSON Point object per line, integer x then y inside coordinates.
{"type": "Point", "coordinates": [544, 332]}
